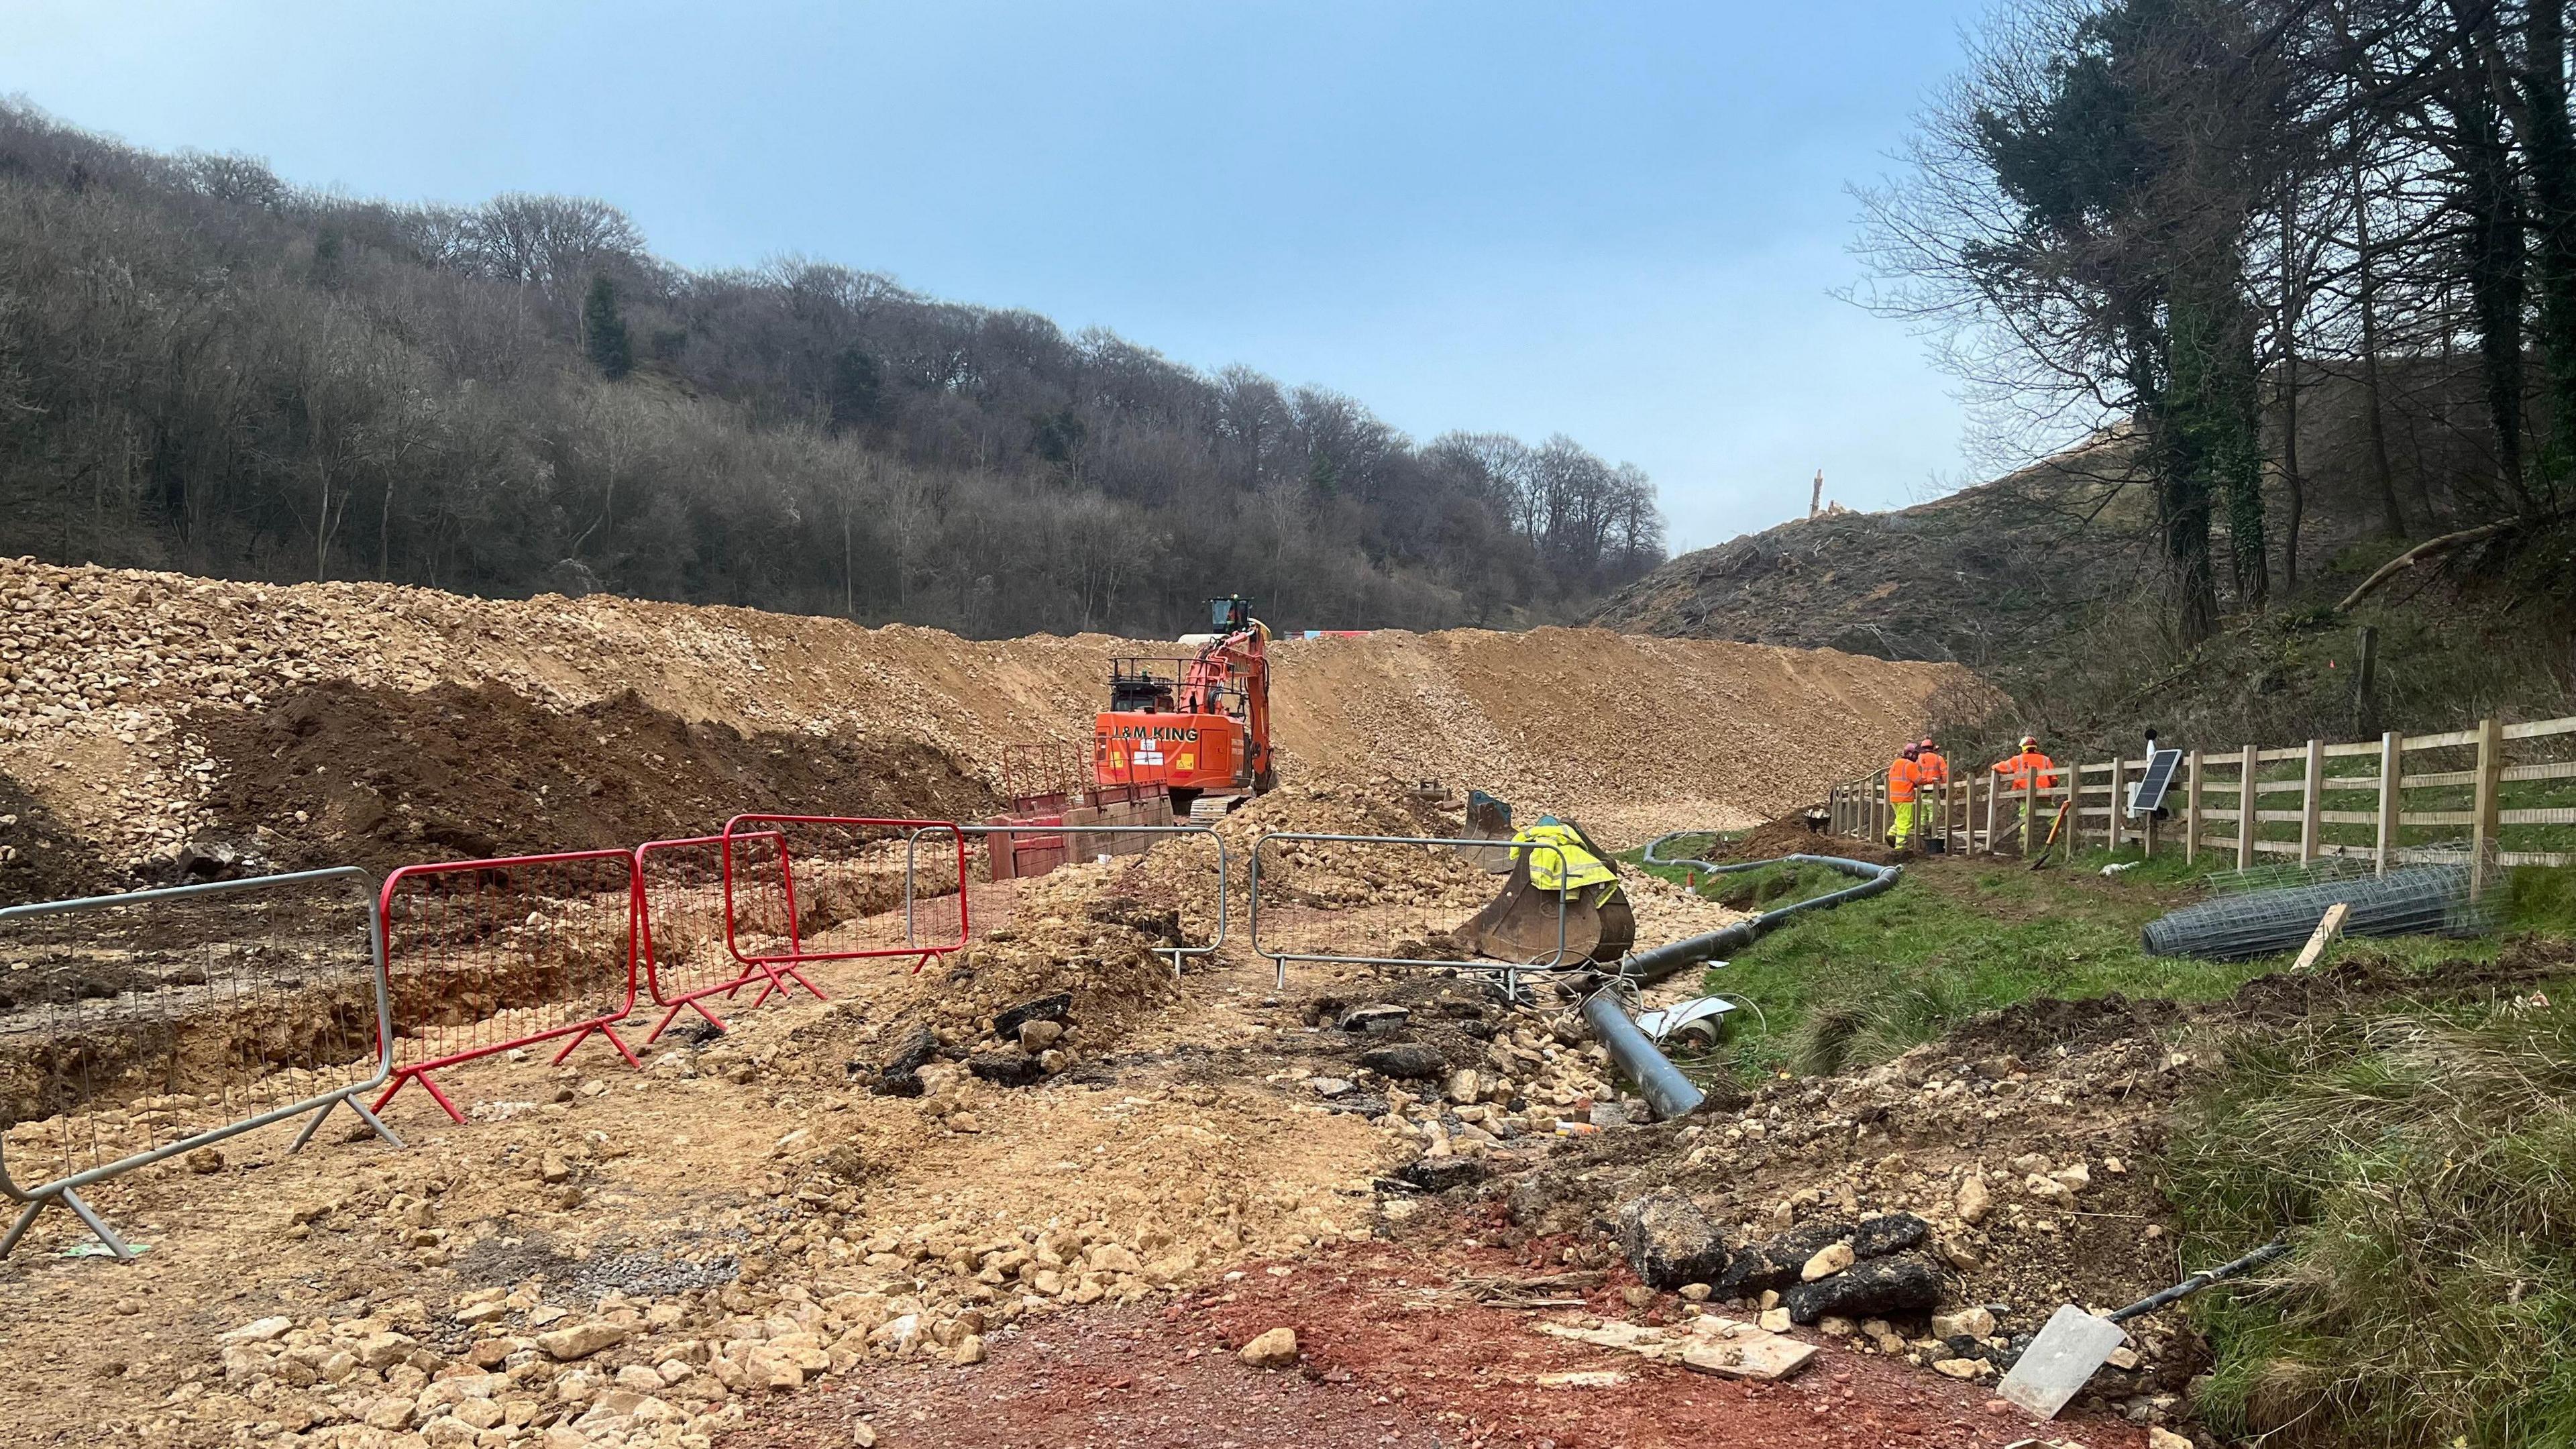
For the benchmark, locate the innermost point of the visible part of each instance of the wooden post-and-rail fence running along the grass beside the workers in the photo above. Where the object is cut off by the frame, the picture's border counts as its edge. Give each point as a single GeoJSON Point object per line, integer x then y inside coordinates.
{"type": "Point", "coordinates": [2492, 795]}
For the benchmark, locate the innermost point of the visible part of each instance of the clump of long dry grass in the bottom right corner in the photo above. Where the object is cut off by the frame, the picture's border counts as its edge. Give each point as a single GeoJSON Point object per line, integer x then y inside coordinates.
{"type": "Point", "coordinates": [2428, 1167]}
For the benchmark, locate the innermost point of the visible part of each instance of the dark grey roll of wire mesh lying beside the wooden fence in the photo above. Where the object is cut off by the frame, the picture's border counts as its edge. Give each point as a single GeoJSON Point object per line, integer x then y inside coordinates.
{"type": "Point", "coordinates": [2420, 901]}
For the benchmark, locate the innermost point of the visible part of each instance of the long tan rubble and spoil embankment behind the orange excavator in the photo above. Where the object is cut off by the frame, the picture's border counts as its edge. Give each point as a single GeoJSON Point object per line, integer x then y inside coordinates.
{"type": "Point", "coordinates": [375, 723]}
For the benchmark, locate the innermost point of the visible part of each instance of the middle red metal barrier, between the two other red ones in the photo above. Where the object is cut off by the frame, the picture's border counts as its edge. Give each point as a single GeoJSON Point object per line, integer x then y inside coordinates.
{"type": "Point", "coordinates": [681, 924]}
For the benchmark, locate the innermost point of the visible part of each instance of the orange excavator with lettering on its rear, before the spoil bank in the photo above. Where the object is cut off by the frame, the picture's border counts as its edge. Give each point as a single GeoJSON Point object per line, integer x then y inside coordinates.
{"type": "Point", "coordinates": [1197, 726]}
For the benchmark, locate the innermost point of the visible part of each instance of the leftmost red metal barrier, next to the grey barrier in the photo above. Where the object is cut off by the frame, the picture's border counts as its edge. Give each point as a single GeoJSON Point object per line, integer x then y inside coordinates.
{"type": "Point", "coordinates": [509, 953]}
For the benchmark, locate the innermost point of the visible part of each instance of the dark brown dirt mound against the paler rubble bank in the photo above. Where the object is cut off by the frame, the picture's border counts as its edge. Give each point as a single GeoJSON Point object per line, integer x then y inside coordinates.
{"type": "Point", "coordinates": [349, 775]}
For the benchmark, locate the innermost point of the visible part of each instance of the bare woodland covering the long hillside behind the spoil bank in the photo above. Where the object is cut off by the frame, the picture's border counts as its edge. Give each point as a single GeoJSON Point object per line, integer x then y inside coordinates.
{"type": "Point", "coordinates": [213, 370]}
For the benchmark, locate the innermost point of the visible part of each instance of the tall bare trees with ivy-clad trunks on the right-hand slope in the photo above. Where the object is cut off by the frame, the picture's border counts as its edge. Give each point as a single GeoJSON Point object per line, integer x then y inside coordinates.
{"type": "Point", "coordinates": [2183, 220]}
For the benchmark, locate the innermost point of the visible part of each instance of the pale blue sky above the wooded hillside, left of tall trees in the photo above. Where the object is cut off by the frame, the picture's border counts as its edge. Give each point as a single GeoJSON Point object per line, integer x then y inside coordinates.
{"type": "Point", "coordinates": [1616, 220]}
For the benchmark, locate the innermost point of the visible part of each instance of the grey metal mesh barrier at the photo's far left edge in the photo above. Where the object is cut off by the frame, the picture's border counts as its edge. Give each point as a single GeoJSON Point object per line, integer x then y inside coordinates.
{"type": "Point", "coordinates": [148, 1025]}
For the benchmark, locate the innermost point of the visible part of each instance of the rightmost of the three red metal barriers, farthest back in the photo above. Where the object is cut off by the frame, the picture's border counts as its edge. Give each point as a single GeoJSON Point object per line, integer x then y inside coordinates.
{"type": "Point", "coordinates": [841, 870]}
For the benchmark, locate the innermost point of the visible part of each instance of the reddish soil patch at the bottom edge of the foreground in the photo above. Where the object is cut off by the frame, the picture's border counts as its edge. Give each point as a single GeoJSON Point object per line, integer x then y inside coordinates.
{"type": "Point", "coordinates": [1387, 1365]}
